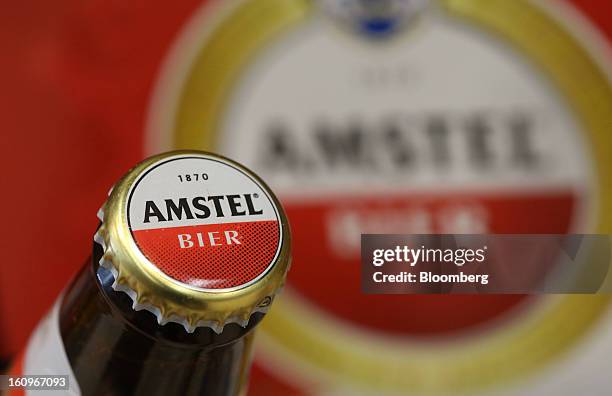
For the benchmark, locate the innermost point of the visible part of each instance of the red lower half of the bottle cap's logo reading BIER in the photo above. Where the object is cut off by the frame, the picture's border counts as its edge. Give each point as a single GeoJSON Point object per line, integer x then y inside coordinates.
{"type": "Point", "coordinates": [213, 256]}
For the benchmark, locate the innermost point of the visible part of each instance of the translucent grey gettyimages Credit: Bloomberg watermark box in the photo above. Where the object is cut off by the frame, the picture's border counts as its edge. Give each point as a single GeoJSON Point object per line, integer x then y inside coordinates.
{"type": "Point", "coordinates": [491, 264]}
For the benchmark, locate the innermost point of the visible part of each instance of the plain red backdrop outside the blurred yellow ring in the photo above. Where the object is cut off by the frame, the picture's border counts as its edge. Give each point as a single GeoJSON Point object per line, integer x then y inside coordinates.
{"type": "Point", "coordinates": [76, 79]}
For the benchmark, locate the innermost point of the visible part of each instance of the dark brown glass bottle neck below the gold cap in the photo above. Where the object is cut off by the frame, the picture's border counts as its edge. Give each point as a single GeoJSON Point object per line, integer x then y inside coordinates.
{"type": "Point", "coordinates": [114, 349]}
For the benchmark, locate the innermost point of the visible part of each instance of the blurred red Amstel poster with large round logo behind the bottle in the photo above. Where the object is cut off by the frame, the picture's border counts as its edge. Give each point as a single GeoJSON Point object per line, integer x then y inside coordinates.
{"type": "Point", "coordinates": [398, 116]}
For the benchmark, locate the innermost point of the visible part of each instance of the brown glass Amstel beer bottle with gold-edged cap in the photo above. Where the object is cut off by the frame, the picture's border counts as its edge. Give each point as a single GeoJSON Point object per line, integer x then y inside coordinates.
{"type": "Point", "coordinates": [189, 253]}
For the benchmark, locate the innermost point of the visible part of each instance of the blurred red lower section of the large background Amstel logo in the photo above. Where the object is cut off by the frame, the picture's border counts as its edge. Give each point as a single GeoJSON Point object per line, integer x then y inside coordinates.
{"type": "Point", "coordinates": [338, 291]}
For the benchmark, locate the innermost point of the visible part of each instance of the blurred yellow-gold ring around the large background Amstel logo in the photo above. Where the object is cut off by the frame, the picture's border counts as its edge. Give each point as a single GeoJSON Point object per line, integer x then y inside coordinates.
{"type": "Point", "coordinates": [500, 355]}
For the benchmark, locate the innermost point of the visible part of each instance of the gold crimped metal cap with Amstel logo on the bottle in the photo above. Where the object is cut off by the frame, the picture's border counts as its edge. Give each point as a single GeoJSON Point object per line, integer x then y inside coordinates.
{"type": "Point", "coordinates": [196, 239]}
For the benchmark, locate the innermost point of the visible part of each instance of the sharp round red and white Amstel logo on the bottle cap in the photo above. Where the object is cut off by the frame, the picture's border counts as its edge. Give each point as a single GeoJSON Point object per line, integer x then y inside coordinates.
{"type": "Point", "coordinates": [203, 222]}
